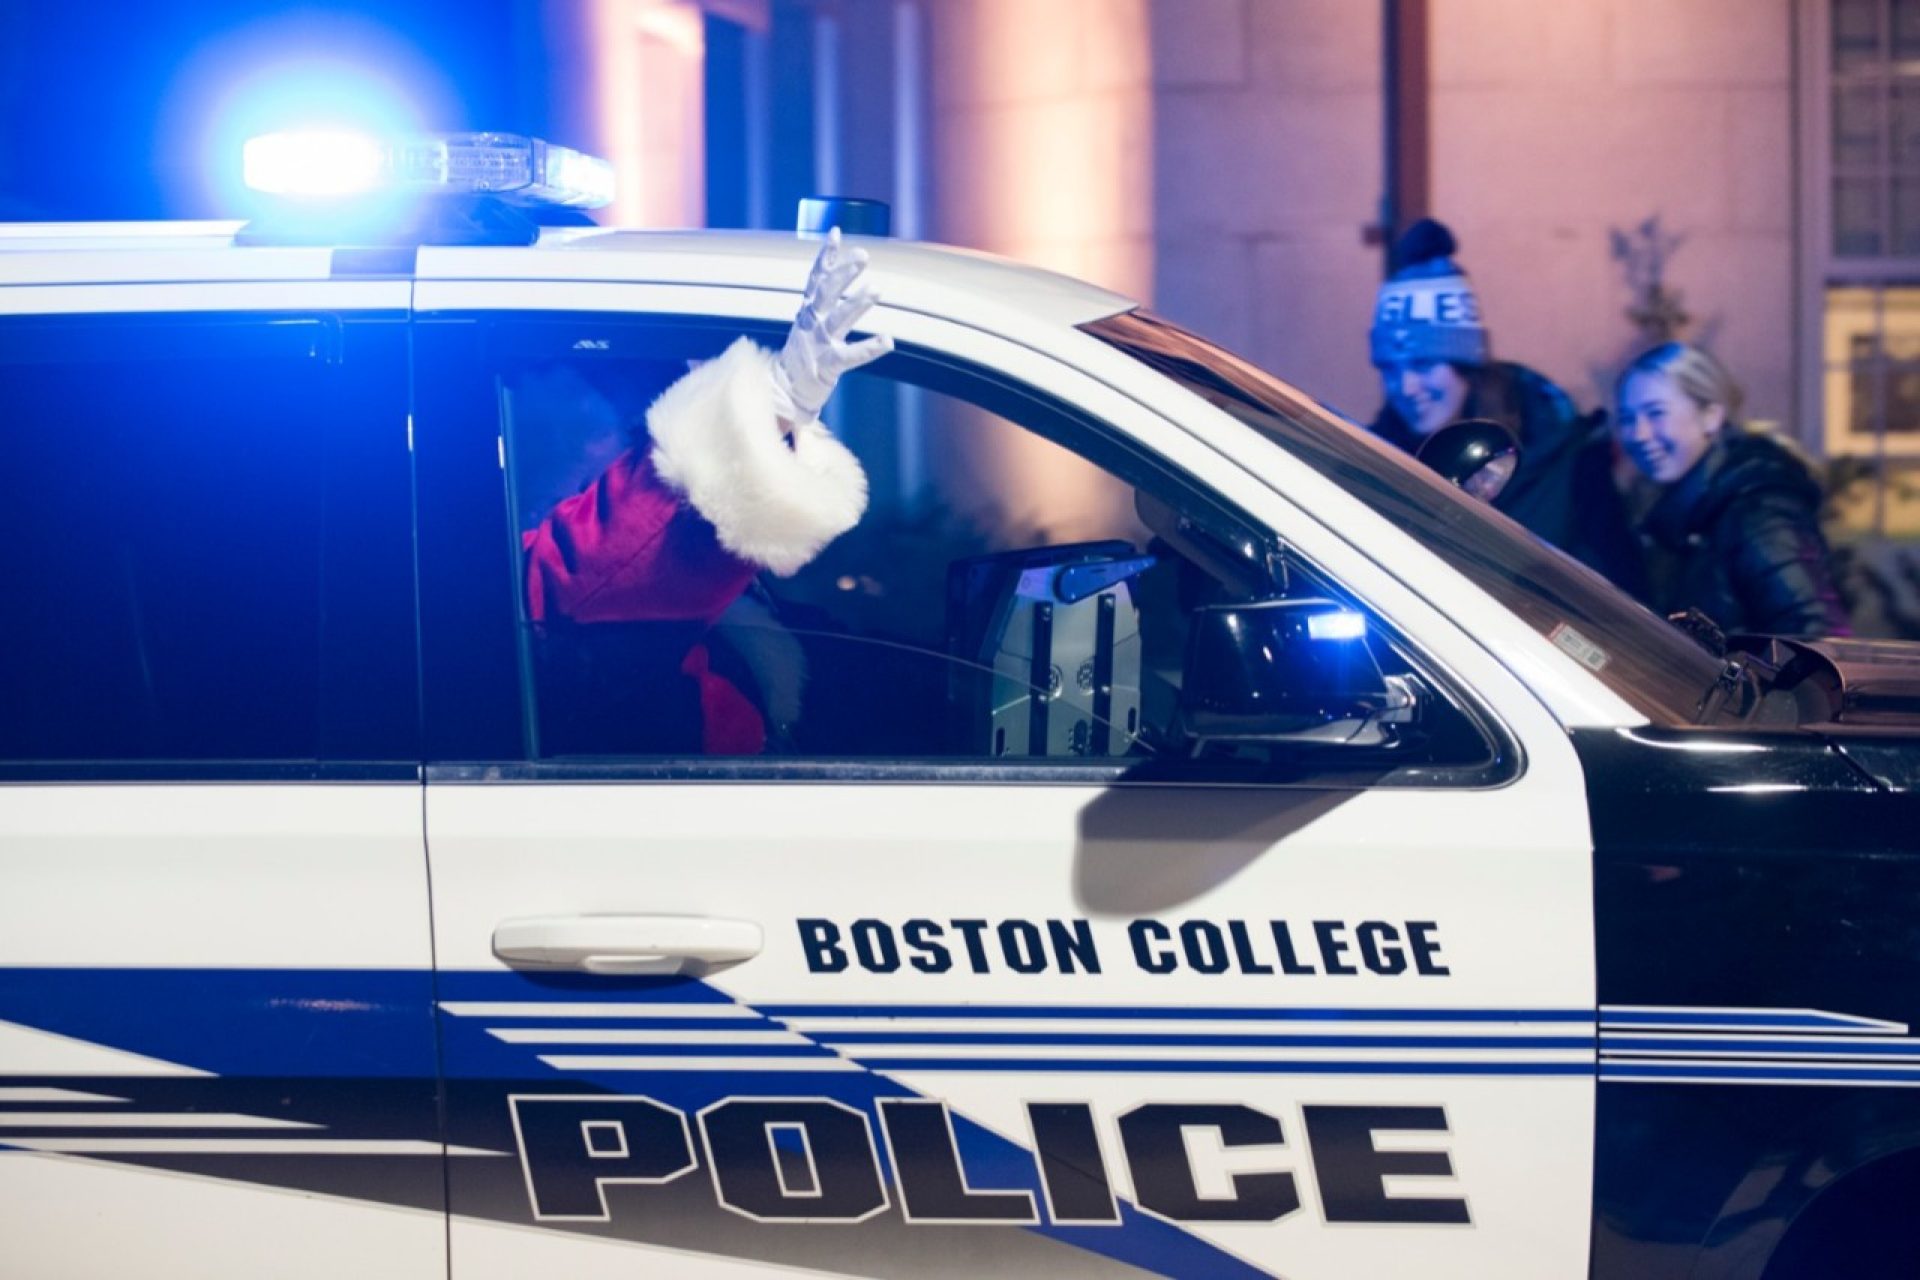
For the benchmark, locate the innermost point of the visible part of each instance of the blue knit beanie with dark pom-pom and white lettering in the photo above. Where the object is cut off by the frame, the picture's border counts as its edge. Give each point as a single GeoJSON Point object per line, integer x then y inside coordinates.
{"type": "Point", "coordinates": [1428, 310]}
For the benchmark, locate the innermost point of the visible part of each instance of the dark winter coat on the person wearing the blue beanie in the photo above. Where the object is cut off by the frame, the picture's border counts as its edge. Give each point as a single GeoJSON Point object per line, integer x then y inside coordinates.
{"type": "Point", "coordinates": [1564, 486]}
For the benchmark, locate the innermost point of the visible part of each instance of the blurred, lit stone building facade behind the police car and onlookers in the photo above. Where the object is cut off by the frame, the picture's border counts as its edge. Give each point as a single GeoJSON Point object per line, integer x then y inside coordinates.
{"type": "Point", "coordinates": [1731, 172]}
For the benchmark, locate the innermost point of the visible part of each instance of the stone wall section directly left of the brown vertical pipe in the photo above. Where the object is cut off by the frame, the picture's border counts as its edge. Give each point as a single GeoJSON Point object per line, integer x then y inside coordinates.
{"type": "Point", "coordinates": [1268, 172]}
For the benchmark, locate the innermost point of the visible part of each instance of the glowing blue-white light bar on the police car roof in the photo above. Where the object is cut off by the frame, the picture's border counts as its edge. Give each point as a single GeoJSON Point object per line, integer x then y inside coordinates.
{"type": "Point", "coordinates": [454, 164]}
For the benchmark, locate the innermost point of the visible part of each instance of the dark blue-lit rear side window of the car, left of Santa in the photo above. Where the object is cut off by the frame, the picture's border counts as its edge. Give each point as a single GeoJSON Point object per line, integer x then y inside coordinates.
{"type": "Point", "coordinates": [208, 540]}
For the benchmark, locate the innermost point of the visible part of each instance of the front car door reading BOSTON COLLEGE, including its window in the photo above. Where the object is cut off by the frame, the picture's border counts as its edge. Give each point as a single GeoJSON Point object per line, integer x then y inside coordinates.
{"type": "Point", "coordinates": [986, 960]}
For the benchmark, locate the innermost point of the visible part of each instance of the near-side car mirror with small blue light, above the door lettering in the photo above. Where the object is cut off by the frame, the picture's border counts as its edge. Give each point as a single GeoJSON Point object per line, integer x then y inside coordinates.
{"type": "Point", "coordinates": [1289, 671]}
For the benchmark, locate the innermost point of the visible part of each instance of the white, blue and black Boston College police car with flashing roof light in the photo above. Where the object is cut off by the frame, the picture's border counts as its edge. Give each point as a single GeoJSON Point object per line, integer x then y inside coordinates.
{"type": "Point", "coordinates": [1184, 836]}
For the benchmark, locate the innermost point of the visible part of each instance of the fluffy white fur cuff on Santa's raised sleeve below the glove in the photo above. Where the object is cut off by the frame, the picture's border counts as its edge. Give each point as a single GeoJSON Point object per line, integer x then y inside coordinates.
{"type": "Point", "coordinates": [717, 440]}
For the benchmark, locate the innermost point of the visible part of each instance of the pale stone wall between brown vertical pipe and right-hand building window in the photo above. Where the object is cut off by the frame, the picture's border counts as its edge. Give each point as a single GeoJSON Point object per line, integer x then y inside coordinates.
{"type": "Point", "coordinates": [1558, 124]}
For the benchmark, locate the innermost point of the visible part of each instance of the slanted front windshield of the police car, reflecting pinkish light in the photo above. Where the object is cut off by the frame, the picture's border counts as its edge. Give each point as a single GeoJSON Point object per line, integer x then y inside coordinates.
{"type": "Point", "coordinates": [1639, 655]}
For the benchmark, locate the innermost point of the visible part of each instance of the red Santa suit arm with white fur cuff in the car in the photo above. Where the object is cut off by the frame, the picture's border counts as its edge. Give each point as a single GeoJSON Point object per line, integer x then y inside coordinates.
{"type": "Point", "coordinates": [677, 527]}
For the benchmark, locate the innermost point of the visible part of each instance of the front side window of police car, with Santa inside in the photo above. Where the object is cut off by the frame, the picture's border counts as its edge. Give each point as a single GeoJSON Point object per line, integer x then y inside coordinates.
{"type": "Point", "coordinates": [1020, 588]}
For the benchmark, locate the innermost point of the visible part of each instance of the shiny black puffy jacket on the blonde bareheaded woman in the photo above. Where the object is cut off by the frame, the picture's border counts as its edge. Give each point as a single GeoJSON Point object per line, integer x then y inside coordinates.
{"type": "Point", "coordinates": [1739, 538]}
